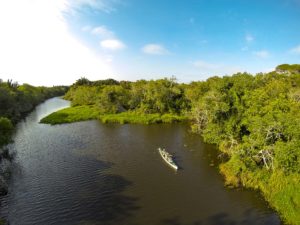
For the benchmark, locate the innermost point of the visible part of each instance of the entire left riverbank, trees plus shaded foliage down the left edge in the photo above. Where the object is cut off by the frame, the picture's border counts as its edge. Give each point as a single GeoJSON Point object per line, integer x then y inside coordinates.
{"type": "Point", "coordinates": [17, 101]}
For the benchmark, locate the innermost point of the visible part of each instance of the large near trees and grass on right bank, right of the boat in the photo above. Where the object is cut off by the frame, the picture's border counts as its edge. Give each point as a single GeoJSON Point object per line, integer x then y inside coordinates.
{"type": "Point", "coordinates": [255, 121]}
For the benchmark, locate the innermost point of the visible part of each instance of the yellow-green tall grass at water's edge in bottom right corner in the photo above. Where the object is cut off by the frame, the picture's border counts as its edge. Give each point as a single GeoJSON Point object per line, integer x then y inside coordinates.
{"type": "Point", "coordinates": [281, 190]}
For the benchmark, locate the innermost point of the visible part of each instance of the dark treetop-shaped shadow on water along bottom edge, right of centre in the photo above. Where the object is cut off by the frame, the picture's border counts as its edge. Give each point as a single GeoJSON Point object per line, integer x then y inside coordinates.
{"type": "Point", "coordinates": [224, 219]}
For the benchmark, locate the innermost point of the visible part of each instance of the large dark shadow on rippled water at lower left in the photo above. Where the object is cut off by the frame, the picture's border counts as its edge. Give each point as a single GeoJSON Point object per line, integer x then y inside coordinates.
{"type": "Point", "coordinates": [83, 195]}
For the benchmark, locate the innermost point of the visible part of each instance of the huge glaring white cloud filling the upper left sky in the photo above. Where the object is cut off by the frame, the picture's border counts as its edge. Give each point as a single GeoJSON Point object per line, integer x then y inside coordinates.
{"type": "Point", "coordinates": [37, 47]}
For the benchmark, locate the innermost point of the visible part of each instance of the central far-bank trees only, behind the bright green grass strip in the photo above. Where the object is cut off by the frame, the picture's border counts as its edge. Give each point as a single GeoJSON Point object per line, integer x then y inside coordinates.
{"type": "Point", "coordinates": [159, 96]}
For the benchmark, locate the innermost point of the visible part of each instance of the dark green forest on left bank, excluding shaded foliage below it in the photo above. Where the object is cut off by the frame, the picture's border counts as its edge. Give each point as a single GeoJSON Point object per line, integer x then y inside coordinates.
{"type": "Point", "coordinates": [17, 100]}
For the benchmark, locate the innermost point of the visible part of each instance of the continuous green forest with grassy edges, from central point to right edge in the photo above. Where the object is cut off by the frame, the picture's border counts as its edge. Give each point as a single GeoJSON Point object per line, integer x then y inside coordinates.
{"type": "Point", "coordinates": [254, 121]}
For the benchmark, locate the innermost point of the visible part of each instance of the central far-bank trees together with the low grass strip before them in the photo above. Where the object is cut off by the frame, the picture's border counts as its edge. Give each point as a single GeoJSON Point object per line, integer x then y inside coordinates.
{"type": "Point", "coordinates": [109, 100]}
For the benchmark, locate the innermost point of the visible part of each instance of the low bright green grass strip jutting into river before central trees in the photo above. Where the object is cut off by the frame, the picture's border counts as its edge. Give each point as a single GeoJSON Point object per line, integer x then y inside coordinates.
{"type": "Point", "coordinates": [83, 113]}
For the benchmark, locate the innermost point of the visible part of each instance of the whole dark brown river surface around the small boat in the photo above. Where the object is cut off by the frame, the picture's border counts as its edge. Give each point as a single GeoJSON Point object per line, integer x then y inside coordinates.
{"type": "Point", "coordinates": [109, 174]}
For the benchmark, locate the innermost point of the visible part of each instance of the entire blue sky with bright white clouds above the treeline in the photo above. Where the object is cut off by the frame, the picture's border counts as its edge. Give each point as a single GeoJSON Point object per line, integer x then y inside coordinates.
{"type": "Point", "coordinates": [55, 42]}
